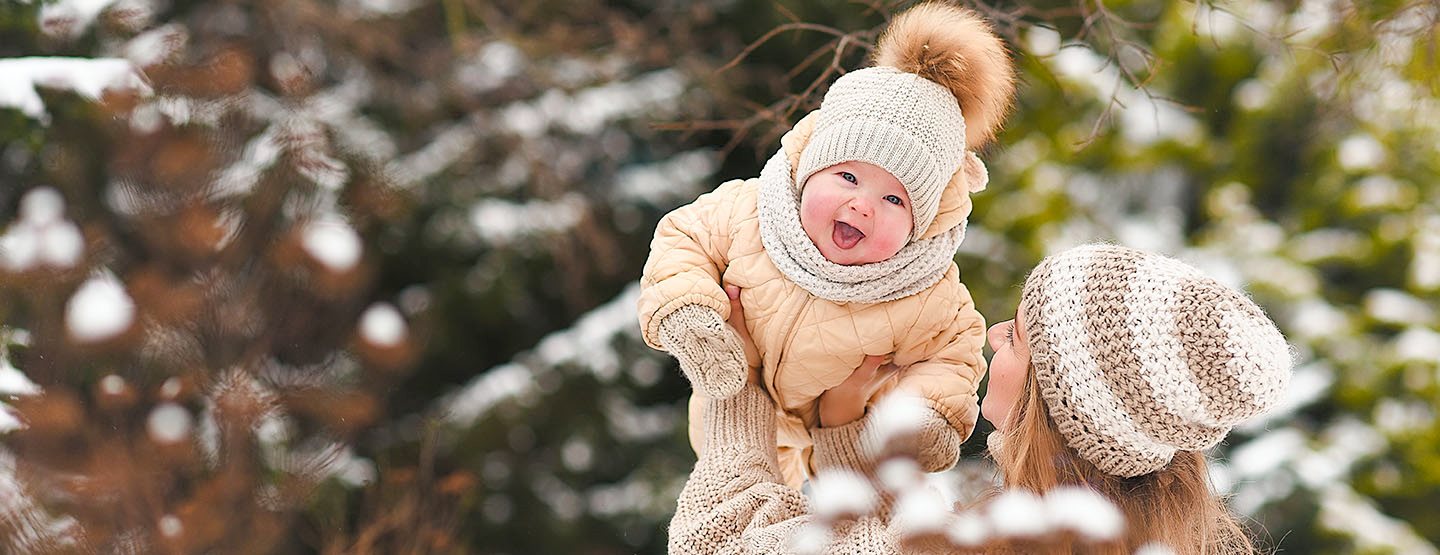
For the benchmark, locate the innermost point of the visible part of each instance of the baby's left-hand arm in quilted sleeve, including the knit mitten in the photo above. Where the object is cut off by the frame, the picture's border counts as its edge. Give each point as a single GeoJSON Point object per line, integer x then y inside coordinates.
{"type": "Point", "coordinates": [682, 306]}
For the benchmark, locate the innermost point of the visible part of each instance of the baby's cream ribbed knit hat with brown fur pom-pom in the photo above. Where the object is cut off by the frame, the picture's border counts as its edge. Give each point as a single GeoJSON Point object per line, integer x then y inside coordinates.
{"type": "Point", "coordinates": [906, 113]}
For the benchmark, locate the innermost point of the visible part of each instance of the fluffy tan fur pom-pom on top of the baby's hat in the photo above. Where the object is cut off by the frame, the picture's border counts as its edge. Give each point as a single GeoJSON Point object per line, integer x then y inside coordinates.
{"type": "Point", "coordinates": [955, 48]}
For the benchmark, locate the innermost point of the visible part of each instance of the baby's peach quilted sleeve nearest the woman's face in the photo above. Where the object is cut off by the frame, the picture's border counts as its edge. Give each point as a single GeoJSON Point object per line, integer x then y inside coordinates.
{"type": "Point", "coordinates": [953, 334]}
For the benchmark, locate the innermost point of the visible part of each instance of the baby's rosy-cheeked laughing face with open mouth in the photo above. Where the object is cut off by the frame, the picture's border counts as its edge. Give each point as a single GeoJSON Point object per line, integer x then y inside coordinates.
{"type": "Point", "coordinates": [856, 214]}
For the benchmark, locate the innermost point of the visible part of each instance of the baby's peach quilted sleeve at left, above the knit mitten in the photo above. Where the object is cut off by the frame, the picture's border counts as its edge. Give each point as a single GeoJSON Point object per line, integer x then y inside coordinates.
{"type": "Point", "coordinates": [688, 259]}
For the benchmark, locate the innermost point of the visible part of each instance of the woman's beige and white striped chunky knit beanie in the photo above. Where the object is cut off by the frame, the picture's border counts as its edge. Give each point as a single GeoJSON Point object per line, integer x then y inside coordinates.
{"type": "Point", "coordinates": [1141, 355]}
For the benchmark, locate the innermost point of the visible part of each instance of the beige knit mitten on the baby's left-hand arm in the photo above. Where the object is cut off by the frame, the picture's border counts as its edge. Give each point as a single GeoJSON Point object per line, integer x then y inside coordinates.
{"type": "Point", "coordinates": [709, 351]}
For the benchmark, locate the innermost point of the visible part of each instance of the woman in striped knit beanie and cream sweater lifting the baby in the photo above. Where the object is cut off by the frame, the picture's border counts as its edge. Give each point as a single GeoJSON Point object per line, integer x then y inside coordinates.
{"type": "Point", "coordinates": [1120, 370]}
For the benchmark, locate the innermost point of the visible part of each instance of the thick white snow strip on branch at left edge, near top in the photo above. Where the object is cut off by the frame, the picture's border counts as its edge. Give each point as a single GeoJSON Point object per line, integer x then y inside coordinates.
{"type": "Point", "coordinates": [89, 77]}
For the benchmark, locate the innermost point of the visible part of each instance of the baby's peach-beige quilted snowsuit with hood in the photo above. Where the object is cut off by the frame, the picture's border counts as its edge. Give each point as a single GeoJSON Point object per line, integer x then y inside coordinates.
{"type": "Point", "coordinates": [809, 344]}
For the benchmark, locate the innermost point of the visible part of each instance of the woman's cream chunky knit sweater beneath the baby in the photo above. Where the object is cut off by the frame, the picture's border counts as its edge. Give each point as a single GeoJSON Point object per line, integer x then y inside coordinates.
{"type": "Point", "coordinates": [735, 501]}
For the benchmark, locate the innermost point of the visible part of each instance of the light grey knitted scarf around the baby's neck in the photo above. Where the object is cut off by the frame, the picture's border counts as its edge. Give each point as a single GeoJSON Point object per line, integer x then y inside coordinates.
{"type": "Point", "coordinates": [917, 267]}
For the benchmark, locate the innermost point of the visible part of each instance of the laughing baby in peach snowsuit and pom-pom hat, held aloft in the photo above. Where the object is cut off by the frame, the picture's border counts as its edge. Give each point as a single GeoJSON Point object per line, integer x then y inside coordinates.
{"type": "Point", "coordinates": [845, 247]}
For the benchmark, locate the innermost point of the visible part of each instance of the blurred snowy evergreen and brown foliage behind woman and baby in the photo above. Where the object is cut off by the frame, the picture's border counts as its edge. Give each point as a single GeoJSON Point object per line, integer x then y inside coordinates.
{"type": "Point", "coordinates": [359, 276]}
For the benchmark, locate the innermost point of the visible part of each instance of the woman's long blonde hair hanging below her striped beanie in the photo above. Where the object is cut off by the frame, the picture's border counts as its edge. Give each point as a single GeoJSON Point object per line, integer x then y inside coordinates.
{"type": "Point", "coordinates": [1174, 507]}
